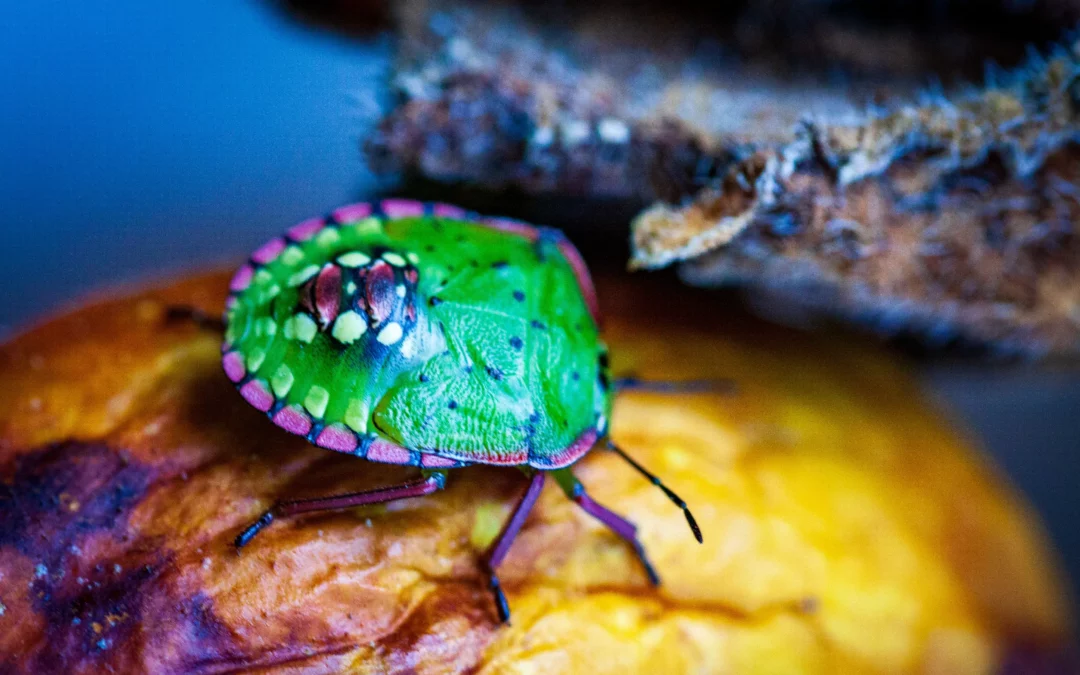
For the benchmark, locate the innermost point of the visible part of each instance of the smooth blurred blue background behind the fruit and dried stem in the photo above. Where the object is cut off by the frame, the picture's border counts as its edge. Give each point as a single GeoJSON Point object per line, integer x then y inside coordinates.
{"type": "Point", "coordinates": [139, 140]}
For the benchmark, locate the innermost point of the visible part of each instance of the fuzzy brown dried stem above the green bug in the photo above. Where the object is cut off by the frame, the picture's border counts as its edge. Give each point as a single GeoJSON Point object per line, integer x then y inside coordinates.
{"type": "Point", "coordinates": [802, 155]}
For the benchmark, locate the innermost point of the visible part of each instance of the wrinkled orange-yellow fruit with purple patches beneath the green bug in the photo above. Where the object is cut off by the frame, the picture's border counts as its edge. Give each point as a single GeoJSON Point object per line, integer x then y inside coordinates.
{"type": "Point", "coordinates": [847, 529]}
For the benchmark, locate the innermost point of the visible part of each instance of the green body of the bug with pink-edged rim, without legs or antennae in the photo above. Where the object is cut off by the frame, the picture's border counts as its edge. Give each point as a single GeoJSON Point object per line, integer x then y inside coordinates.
{"type": "Point", "coordinates": [424, 335]}
